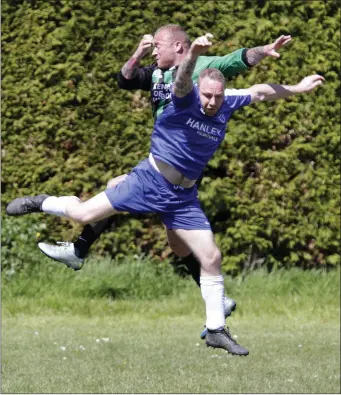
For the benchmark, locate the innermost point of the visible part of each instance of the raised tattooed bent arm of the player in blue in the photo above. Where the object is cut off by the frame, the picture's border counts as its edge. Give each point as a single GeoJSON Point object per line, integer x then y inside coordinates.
{"type": "Point", "coordinates": [183, 82]}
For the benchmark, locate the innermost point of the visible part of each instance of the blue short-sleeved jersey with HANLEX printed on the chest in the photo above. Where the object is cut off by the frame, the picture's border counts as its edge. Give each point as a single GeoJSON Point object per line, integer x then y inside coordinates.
{"type": "Point", "coordinates": [186, 138]}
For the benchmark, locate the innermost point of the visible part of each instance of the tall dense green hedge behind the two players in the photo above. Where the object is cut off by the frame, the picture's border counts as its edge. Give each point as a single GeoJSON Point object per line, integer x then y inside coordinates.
{"type": "Point", "coordinates": [272, 190]}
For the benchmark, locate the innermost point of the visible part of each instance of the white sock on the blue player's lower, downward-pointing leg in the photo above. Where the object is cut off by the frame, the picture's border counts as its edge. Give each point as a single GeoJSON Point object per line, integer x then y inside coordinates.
{"type": "Point", "coordinates": [212, 291]}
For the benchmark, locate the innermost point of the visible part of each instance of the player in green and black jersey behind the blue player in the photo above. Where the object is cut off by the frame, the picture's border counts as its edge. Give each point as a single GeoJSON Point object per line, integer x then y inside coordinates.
{"type": "Point", "coordinates": [170, 45]}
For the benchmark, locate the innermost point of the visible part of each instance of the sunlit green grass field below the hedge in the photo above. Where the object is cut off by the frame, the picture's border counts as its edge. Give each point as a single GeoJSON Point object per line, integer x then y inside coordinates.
{"type": "Point", "coordinates": [55, 339]}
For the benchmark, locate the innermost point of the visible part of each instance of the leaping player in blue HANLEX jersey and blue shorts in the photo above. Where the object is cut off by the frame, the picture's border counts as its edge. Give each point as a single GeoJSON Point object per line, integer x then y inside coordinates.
{"type": "Point", "coordinates": [184, 138]}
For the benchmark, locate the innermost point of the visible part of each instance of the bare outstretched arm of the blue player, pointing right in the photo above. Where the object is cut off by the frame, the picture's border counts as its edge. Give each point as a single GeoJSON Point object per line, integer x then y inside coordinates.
{"type": "Point", "coordinates": [273, 91]}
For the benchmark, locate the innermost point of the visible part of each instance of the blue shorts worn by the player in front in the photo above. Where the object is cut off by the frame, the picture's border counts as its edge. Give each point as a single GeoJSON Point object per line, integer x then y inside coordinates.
{"type": "Point", "coordinates": [146, 191]}
